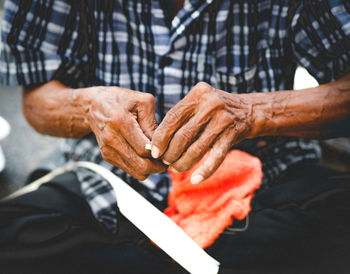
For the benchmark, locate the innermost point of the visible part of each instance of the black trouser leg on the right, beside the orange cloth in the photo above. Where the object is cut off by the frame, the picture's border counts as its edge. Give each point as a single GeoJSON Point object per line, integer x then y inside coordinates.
{"type": "Point", "coordinates": [304, 215]}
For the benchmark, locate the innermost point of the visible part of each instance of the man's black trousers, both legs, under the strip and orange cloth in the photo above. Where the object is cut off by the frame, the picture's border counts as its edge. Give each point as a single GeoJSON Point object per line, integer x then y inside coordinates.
{"type": "Point", "coordinates": [301, 225]}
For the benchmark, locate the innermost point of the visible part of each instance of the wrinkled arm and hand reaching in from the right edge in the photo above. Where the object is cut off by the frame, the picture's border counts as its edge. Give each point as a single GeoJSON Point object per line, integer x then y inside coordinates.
{"type": "Point", "coordinates": [212, 120]}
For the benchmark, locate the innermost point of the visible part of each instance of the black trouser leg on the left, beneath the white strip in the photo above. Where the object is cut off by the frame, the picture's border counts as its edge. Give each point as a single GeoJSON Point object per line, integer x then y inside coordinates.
{"type": "Point", "coordinates": [53, 229]}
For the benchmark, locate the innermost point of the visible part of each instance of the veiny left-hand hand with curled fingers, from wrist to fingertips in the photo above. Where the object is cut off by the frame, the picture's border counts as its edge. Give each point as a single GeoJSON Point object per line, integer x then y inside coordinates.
{"type": "Point", "coordinates": [124, 121]}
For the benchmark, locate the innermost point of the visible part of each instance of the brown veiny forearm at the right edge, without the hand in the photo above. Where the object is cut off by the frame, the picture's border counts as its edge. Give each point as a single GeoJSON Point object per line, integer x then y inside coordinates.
{"type": "Point", "coordinates": [321, 112]}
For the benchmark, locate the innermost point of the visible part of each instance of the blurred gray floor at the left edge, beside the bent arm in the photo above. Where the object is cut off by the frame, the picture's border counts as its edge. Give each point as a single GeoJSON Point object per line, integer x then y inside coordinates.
{"type": "Point", "coordinates": [24, 149]}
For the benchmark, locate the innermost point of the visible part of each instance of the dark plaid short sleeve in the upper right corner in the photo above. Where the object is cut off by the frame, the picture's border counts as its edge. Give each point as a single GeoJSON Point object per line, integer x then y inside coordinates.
{"type": "Point", "coordinates": [321, 38]}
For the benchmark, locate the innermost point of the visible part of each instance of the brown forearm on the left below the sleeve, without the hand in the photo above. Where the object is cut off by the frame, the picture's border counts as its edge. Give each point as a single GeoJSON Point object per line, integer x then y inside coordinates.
{"type": "Point", "coordinates": [56, 110]}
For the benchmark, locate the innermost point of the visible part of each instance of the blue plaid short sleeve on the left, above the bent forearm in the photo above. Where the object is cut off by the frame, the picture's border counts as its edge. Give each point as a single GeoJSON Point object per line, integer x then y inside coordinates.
{"type": "Point", "coordinates": [37, 42]}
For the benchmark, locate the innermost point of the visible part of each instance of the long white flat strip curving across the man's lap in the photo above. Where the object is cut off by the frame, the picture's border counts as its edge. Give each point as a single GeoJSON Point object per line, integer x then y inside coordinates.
{"type": "Point", "coordinates": [152, 222]}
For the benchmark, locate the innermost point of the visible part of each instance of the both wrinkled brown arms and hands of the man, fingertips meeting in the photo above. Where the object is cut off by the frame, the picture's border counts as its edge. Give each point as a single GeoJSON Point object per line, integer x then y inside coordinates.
{"type": "Point", "coordinates": [207, 119]}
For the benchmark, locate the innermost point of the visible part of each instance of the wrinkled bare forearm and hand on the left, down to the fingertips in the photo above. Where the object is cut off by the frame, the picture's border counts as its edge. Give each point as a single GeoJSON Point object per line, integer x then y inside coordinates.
{"type": "Point", "coordinates": [123, 121]}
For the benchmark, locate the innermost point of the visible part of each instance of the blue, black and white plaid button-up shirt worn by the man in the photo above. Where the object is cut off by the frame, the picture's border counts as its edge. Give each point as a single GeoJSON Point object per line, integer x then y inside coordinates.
{"type": "Point", "coordinates": [234, 45]}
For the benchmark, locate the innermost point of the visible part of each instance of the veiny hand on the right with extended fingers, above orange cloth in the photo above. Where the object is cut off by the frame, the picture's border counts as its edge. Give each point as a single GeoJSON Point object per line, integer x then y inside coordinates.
{"type": "Point", "coordinates": [206, 119]}
